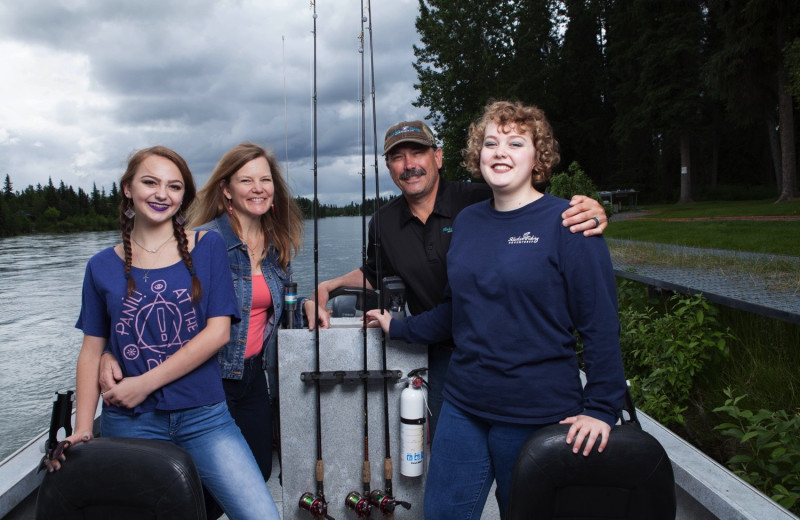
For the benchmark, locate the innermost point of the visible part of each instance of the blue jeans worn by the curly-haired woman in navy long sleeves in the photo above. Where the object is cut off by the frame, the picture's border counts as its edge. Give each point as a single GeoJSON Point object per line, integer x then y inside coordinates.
{"type": "Point", "coordinates": [468, 454]}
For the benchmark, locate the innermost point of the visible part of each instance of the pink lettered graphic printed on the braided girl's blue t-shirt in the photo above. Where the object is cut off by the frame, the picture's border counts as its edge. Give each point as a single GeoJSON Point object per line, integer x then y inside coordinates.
{"type": "Point", "coordinates": [155, 327]}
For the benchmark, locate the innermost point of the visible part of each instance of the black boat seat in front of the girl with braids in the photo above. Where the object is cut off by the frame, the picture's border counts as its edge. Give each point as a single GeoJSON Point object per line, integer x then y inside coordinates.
{"type": "Point", "coordinates": [123, 479]}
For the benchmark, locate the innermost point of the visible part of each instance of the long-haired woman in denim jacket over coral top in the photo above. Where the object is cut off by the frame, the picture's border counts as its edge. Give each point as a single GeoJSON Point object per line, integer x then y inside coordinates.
{"type": "Point", "coordinates": [247, 201]}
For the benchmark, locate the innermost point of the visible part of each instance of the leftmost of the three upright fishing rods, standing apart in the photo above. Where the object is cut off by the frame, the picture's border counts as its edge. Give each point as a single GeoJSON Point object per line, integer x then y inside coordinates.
{"type": "Point", "coordinates": [316, 503]}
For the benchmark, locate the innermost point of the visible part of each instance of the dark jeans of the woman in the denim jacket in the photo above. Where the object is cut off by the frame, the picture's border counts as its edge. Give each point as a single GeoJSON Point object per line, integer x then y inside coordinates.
{"type": "Point", "coordinates": [249, 405]}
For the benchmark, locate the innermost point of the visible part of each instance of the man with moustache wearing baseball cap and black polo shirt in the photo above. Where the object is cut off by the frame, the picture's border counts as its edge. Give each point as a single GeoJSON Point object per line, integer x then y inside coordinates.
{"type": "Point", "coordinates": [416, 229]}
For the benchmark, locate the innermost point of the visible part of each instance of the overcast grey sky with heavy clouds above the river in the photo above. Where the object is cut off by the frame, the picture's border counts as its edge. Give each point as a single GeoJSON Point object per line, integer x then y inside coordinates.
{"type": "Point", "coordinates": [87, 82]}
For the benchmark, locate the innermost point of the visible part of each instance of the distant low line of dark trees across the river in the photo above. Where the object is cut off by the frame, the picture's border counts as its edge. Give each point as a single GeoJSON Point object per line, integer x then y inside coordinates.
{"type": "Point", "coordinates": [51, 209]}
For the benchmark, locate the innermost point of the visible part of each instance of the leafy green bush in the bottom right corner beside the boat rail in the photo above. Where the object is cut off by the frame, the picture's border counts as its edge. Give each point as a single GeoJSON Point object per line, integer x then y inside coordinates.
{"type": "Point", "coordinates": [769, 455]}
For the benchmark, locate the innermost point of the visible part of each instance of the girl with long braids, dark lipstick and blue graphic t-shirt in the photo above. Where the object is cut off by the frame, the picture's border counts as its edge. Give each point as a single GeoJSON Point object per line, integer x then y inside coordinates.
{"type": "Point", "coordinates": [162, 303]}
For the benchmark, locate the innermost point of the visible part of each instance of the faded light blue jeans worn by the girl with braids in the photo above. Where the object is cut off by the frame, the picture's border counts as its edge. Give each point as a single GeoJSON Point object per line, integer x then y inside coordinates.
{"type": "Point", "coordinates": [219, 451]}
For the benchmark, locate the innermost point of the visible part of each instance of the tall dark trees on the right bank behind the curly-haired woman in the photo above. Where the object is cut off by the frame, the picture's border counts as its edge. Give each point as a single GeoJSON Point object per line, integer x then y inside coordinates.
{"type": "Point", "coordinates": [680, 99]}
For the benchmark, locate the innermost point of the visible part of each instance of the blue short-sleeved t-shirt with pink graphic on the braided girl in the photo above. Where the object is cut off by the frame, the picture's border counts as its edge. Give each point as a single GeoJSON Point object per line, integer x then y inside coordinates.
{"type": "Point", "coordinates": [146, 328]}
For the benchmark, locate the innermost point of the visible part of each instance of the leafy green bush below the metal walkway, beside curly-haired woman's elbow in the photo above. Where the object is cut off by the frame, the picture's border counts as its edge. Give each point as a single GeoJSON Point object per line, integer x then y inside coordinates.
{"type": "Point", "coordinates": [664, 350]}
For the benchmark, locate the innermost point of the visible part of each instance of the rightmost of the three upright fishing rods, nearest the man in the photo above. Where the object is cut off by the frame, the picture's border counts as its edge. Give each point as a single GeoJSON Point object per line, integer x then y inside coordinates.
{"type": "Point", "coordinates": [383, 499]}
